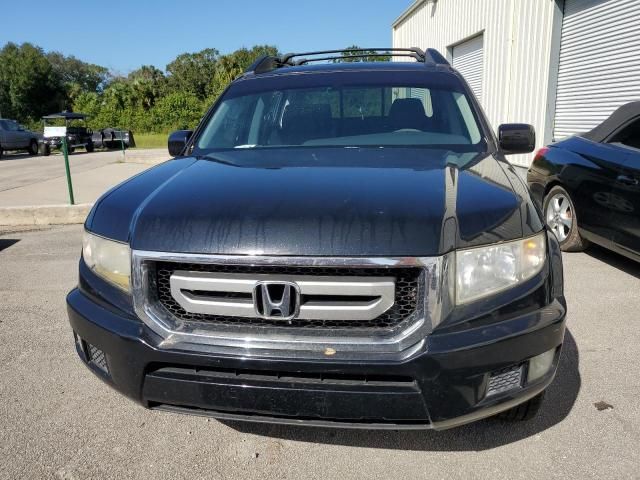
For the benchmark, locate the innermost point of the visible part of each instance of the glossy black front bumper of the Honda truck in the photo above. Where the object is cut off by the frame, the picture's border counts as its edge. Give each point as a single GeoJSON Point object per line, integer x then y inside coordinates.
{"type": "Point", "coordinates": [442, 385]}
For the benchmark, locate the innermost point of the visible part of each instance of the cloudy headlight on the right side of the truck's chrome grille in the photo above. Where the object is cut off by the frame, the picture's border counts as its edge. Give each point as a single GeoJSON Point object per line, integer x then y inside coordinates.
{"type": "Point", "coordinates": [484, 271]}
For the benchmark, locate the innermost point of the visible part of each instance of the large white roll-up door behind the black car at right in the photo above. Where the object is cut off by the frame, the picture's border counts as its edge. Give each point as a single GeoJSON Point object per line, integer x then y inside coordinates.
{"type": "Point", "coordinates": [599, 66]}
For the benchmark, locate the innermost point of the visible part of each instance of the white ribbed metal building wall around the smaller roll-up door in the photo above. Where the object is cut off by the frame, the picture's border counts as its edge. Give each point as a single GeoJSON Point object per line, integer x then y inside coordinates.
{"type": "Point", "coordinates": [517, 48]}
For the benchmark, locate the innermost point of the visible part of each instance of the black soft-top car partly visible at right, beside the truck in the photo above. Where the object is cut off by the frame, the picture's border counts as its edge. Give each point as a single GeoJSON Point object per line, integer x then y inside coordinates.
{"type": "Point", "coordinates": [588, 186]}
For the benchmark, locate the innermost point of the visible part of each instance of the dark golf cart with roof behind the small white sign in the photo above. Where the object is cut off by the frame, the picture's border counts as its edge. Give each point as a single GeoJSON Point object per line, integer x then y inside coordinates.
{"type": "Point", "coordinates": [71, 125]}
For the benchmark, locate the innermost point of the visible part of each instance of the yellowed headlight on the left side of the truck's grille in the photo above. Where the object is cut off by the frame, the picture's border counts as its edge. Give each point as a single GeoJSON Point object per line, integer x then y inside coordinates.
{"type": "Point", "coordinates": [107, 258]}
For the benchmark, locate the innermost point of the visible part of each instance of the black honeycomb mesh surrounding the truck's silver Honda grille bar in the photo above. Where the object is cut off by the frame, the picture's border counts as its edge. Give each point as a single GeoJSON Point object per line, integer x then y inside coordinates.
{"type": "Point", "coordinates": [403, 309]}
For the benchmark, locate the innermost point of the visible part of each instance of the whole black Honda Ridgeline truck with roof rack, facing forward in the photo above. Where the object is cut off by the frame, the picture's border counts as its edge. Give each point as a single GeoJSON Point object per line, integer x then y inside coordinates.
{"type": "Point", "coordinates": [336, 244]}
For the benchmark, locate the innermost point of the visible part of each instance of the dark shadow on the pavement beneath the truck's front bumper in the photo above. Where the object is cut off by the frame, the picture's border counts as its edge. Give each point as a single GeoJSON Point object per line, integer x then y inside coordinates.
{"type": "Point", "coordinates": [482, 435]}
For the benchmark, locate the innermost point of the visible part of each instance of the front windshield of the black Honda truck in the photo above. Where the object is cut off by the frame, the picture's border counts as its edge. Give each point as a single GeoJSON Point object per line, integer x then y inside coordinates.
{"type": "Point", "coordinates": [342, 116]}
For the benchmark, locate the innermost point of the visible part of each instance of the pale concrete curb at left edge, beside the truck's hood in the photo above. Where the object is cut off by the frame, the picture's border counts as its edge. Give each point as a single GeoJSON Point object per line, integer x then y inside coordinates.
{"type": "Point", "coordinates": [44, 215]}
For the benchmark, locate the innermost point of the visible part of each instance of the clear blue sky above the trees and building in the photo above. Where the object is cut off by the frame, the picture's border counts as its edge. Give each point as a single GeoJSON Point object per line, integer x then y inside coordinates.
{"type": "Point", "coordinates": [123, 35]}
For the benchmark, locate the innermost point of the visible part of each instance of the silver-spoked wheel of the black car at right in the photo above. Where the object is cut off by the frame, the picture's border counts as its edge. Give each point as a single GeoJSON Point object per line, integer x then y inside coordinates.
{"type": "Point", "coordinates": [560, 216]}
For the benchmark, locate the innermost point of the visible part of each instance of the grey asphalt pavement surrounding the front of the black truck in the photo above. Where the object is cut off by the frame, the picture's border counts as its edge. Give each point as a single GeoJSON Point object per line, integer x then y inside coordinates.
{"type": "Point", "coordinates": [59, 421]}
